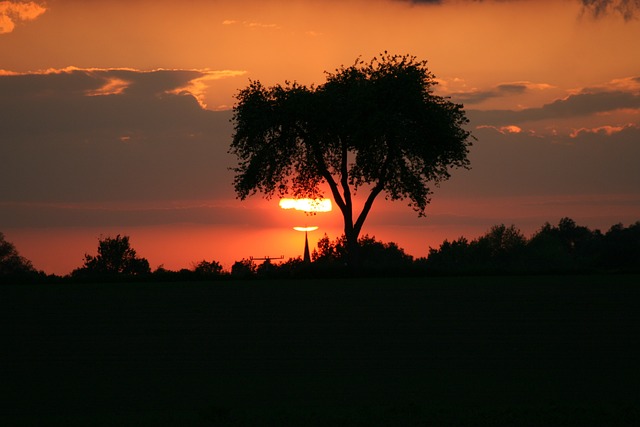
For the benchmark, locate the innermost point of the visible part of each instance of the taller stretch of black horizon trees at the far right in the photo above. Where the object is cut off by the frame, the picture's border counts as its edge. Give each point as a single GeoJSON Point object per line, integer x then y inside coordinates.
{"type": "Point", "coordinates": [565, 248]}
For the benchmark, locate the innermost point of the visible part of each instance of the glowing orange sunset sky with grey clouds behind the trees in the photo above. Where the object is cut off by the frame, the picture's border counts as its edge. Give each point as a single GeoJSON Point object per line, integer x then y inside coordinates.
{"type": "Point", "coordinates": [115, 118]}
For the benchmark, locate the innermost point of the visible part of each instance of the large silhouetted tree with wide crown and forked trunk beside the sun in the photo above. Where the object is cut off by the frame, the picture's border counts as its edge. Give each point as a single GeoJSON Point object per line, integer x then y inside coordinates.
{"type": "Point", "coordinates": [373, 125]}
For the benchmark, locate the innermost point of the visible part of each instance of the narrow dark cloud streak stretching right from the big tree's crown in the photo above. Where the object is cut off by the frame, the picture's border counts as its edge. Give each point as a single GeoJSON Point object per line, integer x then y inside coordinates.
{"type": "Point", "coordinates": [581, 104]}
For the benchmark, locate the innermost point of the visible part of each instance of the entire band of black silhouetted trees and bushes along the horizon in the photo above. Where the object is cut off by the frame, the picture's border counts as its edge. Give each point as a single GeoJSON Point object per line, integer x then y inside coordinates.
{"type": "Point", "coordinates": [565, 248]}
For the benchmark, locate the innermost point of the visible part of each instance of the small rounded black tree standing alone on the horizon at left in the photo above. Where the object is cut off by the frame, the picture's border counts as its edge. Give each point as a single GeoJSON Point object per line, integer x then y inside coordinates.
{"type": "Point", "coordinates": [115, 257]}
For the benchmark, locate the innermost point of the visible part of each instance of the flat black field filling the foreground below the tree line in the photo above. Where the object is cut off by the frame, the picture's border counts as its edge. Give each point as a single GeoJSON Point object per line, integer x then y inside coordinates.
{"type": "Point", "coordinates": [430, 351]}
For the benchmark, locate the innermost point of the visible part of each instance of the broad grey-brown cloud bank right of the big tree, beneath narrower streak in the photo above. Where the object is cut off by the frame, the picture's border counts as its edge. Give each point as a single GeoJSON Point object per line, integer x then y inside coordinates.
{"type": "Point", "coordinates": [519, 164]}
